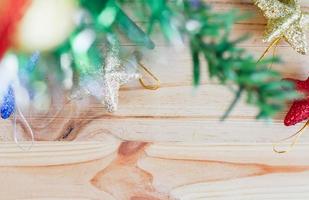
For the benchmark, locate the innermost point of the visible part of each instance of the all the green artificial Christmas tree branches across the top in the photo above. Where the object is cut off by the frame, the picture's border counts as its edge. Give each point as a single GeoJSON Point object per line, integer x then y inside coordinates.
{"type": "Point", "coordinates": [206, 32]}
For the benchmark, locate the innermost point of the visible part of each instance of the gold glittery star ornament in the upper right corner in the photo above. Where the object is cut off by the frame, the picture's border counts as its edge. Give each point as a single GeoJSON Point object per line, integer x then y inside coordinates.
{"type": "Point", "coordinates": [285, 19]}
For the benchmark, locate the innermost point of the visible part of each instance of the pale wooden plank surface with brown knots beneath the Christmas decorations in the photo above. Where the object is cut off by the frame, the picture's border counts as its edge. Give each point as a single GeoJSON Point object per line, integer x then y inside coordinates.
{"type": "Point", "coordinates": [164, 144]}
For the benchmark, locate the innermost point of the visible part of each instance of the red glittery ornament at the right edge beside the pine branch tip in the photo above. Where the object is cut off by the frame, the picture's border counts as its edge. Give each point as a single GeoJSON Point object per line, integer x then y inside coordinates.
{"type": "Point", "coordinates": [299, 110]}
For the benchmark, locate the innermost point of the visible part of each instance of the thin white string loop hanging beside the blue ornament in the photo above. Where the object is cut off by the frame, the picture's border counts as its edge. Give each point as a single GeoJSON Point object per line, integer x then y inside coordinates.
{"type": "Point", "coordinates": [15, 132]}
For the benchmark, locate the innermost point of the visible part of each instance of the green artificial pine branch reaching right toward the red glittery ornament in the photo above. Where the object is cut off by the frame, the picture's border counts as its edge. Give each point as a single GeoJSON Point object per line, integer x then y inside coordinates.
{"type": "Point", "coordinates": [208, 34]}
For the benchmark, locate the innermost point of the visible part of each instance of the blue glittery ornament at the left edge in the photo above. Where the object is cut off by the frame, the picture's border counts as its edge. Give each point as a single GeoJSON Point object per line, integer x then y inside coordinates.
{"type": "Point", "coordinates": [8, 104]}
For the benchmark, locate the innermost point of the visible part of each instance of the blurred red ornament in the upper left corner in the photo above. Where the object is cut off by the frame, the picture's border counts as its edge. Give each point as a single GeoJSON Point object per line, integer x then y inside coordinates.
{"type": "Point", "coordinates": [11, 11]}
